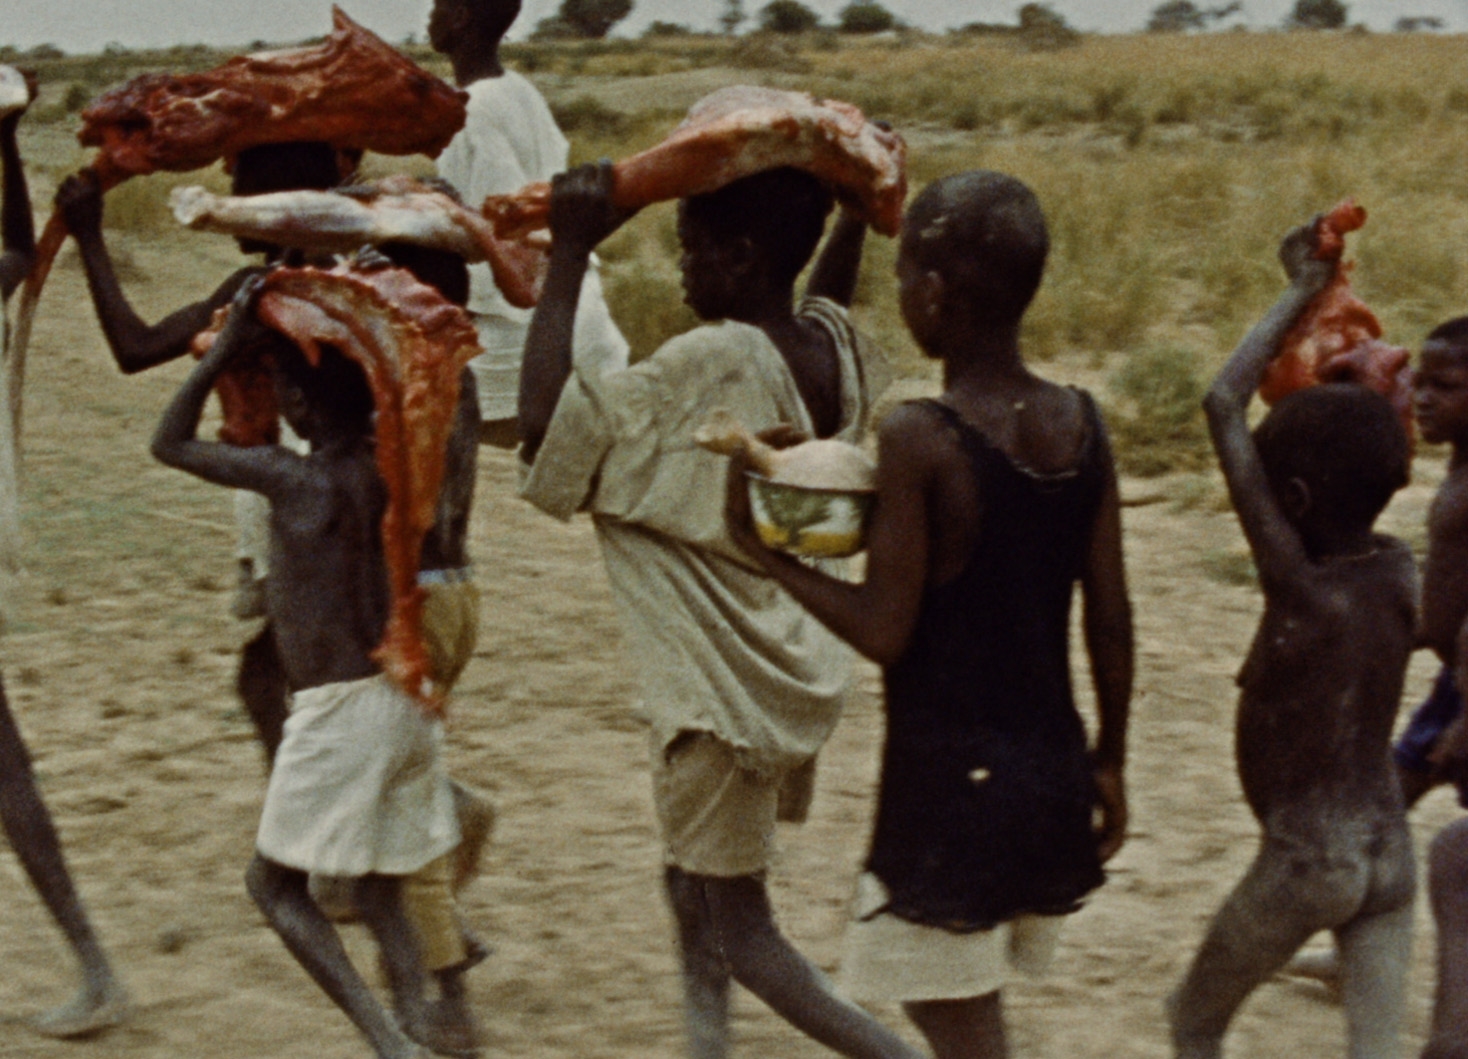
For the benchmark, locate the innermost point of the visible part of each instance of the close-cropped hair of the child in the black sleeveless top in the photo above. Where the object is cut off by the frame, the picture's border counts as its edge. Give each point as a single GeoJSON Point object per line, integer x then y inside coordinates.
{"type": "Point", "coordinates": [986, 234]}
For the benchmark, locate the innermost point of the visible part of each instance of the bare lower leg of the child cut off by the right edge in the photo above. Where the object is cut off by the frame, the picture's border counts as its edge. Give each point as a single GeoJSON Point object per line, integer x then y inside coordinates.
{"type": "Point", "coordinates": [1448, 885]}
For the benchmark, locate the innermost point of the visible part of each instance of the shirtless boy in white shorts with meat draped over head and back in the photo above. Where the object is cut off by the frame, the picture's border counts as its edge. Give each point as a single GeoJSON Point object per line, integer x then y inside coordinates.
{"type": "Point", "coordinates": [359, 787]}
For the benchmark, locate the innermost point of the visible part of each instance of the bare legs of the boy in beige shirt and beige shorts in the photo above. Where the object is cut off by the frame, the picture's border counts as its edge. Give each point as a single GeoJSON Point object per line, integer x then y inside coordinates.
{"type": "Point", "coordinates": [736, 916]}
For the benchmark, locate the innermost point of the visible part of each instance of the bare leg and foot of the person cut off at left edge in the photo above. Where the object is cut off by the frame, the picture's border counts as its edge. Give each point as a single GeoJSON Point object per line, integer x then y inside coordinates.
{"type": "Point", "coordinates": [102, 1001]}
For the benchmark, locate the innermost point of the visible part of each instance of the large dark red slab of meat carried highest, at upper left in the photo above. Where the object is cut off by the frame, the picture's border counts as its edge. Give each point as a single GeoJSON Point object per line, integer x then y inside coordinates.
{"type": "Point", "coordinates": [353, 92]}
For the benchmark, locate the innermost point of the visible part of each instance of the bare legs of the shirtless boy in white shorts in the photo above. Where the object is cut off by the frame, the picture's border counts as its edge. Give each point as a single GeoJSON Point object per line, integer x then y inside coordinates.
{"type": "Point", "coordinates": [310, 938]}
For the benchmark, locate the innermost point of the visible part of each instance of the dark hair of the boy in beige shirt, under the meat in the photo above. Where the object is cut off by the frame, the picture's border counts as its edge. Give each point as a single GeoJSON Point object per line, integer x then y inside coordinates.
{"type": "Point", "coordinates": [783, 212]}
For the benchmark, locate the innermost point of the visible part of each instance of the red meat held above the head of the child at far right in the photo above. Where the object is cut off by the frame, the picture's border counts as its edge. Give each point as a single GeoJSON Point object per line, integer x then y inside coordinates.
{"type": "Point", "coordinates": [1338, 337]}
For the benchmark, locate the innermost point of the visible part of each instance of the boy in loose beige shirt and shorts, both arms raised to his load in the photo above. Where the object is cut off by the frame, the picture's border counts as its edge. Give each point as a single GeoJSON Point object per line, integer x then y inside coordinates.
{"type": "Point", "coordinates": [741, 685]}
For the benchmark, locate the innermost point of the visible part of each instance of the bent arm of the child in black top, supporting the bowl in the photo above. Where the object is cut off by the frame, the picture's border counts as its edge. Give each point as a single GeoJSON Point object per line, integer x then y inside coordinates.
{"type": "Point", "coordinates": [877, 616]}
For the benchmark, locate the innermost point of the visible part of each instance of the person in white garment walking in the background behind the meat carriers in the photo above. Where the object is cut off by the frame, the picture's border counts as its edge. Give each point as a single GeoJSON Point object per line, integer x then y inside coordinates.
{"type": "Point", "coordinates": [509, 140]}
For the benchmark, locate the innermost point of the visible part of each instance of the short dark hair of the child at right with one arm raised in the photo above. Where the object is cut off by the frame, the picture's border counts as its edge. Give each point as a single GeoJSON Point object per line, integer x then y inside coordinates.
{"type": "Point", "coordinates": [1344, 441]}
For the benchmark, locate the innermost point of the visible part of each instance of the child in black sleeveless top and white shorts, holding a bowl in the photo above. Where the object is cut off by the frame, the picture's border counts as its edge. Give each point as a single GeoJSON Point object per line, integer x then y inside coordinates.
{"type": "Point", "coordinates": [993, 502]}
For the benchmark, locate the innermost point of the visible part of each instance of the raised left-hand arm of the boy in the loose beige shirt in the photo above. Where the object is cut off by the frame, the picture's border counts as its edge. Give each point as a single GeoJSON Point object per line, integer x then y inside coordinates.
{"type": "Point", "coordinates": [582, 215]}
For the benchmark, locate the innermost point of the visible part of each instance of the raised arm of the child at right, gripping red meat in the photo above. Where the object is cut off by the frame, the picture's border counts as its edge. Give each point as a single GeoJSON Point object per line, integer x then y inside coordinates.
{"type": "Point", "coordinates": [1278, 550]}
